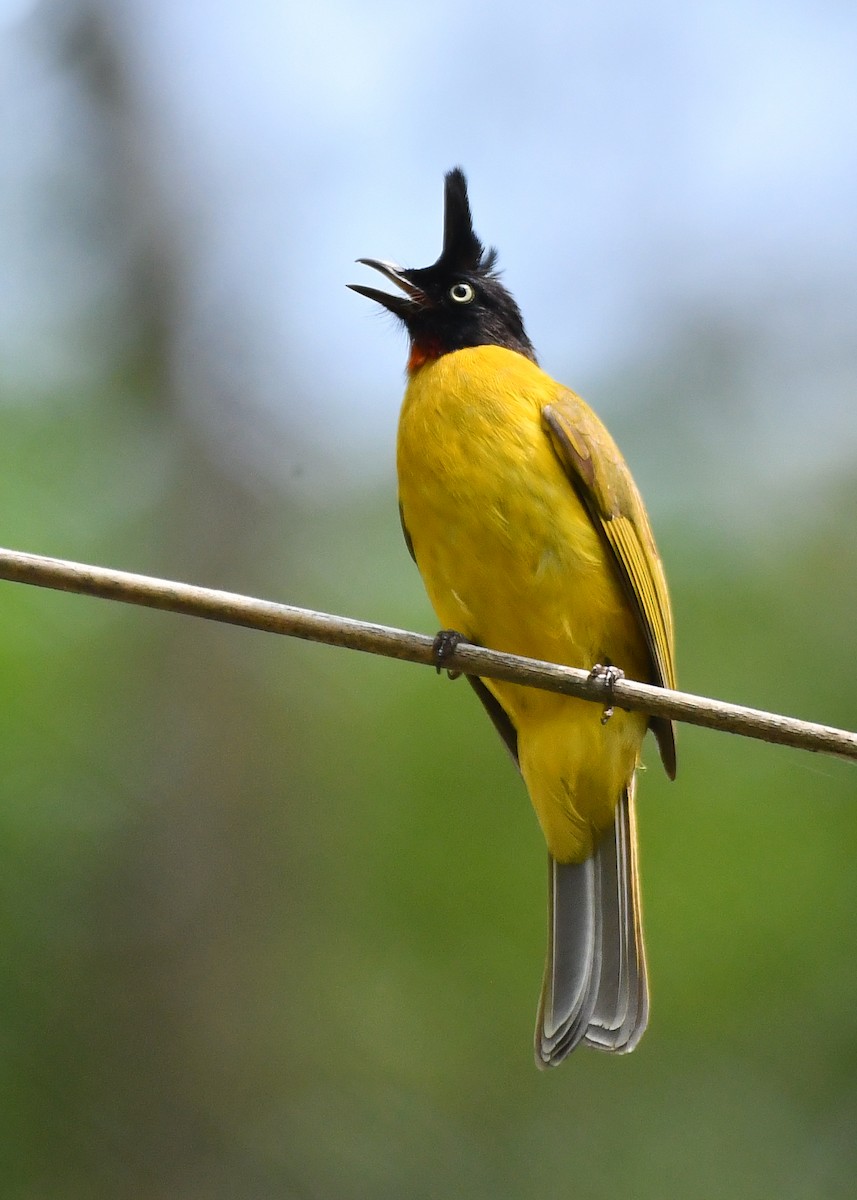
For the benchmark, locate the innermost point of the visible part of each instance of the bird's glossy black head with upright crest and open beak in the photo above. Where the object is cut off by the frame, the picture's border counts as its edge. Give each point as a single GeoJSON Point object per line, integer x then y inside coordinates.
{"type": "Point", "coordinates": [459, 302]}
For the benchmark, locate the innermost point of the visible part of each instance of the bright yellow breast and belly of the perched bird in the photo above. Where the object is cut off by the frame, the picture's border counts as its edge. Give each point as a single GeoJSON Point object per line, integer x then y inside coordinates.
{"type": "Point", "coordinates": [511, 560]}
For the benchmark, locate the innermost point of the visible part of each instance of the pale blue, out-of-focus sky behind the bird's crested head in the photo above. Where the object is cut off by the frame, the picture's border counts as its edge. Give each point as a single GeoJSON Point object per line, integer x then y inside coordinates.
{"type": "Point", "coordinates": [634, 166]}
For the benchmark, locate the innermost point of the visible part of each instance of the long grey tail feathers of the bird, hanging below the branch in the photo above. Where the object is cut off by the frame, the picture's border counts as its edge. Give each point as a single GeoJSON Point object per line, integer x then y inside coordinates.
{"type": "Point", "coordinates": [595, 988]}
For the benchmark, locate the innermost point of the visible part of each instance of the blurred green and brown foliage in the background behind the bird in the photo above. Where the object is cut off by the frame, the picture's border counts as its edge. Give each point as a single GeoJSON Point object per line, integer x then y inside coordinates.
{"type": "Point", "coordinates": [273, 914]}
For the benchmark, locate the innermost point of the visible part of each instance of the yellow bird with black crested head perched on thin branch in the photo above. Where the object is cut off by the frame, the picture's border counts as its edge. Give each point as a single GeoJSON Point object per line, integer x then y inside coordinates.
{"type": "Point", "coordinates": [532, 538]}
